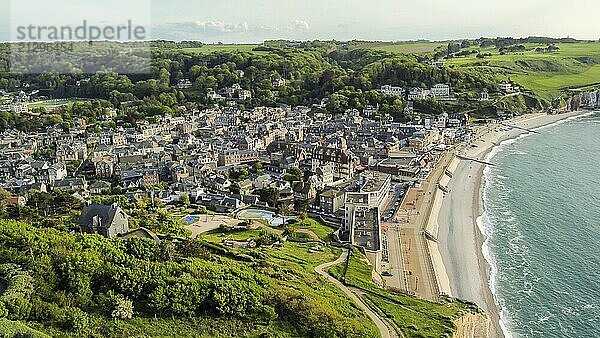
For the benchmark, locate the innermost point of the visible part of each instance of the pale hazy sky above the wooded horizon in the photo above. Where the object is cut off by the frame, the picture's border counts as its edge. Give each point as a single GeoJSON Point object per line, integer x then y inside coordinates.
{"type": "Point", "coordinates": [250, 21]}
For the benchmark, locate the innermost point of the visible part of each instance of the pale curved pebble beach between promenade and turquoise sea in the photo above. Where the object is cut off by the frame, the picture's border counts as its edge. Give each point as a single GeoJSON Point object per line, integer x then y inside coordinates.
{"type": "Point", "coordinates": [460, 263]}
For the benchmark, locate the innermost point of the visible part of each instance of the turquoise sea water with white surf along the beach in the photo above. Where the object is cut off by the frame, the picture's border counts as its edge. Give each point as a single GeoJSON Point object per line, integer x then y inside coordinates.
{"type": "Point", "coordinates": [542, 220]}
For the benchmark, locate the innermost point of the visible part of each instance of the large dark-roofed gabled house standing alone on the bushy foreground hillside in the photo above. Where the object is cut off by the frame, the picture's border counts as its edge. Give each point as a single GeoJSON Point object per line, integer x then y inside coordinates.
{"type": "Point", "coordinates": [106, 220]}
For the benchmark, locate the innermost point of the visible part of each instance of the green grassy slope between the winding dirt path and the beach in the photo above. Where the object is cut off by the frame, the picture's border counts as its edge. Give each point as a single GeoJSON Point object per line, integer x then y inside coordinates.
{"type": "Point", "coordinates": [414, 317]}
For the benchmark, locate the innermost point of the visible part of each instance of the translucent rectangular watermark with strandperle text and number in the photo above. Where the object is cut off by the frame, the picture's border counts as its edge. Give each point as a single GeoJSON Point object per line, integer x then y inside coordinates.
{"type": "Point", "coordinates": [79, 37]}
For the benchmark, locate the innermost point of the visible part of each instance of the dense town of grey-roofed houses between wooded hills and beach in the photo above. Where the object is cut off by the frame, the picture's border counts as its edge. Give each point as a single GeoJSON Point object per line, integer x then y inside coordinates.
{"type": "Point", "coordinates": [349, 171]}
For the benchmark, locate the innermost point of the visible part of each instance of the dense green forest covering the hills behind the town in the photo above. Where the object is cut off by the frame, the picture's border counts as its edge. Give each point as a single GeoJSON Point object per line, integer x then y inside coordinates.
{"type": "Point", "coordinates": [349, 79]}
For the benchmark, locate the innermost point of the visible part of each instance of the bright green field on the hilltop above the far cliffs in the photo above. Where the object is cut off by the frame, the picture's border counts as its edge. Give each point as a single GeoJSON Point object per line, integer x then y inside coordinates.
{"type": "Point", "coordinates": [575, 65]}
